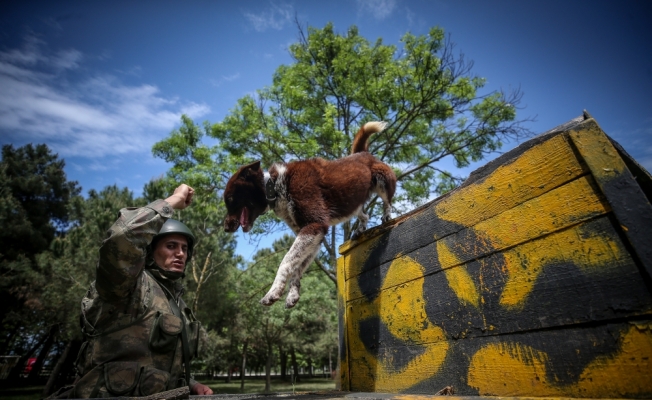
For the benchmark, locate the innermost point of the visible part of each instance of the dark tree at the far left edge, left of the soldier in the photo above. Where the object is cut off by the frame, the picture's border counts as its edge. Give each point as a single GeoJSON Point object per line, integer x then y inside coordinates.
{"type": "Point", "coordinates": [34, 208]}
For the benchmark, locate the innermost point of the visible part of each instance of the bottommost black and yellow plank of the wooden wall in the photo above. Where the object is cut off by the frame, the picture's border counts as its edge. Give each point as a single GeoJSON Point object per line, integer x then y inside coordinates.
{"type": "Point", "coordinates": [611, 360]}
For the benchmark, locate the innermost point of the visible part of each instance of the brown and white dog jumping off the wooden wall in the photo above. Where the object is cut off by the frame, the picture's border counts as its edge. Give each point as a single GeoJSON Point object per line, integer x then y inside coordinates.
{"type": "Point", "coordinates": [310, 196]}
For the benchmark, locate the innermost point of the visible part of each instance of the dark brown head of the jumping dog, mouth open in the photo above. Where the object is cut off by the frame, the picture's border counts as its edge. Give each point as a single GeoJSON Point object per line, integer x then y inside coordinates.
{"type": "Point", "coordinates": [244, 196]}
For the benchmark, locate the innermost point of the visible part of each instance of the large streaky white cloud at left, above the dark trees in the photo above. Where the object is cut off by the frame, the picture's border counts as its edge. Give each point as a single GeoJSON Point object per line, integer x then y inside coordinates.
{"type": "Point", "coordinates": [92, 117]}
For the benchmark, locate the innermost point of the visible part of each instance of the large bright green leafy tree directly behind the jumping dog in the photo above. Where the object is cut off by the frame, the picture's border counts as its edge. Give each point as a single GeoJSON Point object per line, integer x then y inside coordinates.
{"type": "Point", "coordinates": [337, 82]}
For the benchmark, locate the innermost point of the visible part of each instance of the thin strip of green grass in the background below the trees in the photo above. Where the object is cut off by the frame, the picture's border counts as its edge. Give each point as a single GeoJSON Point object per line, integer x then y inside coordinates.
{"type": "Point", "coordinates": [219, 387]}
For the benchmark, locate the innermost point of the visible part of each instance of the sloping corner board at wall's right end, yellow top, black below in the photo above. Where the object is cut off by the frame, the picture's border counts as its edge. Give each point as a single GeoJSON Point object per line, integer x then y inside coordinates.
{"type": "Point", "coordinates": [629, 203]}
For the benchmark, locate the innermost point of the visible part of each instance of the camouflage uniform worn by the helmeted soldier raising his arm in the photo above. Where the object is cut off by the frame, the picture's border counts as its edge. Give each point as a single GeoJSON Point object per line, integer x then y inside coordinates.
{"type": "Point", "coordinates": [133, 337]}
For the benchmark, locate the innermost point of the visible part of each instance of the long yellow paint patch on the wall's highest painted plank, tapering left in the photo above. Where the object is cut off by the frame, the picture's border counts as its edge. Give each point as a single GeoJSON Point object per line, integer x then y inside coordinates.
{"type": "Point", "coordinates": [536, 171]}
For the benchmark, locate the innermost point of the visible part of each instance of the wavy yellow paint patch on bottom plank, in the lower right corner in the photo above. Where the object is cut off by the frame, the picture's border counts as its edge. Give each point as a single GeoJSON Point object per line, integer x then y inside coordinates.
{"type": "Point", "coordinates": [519, 370]}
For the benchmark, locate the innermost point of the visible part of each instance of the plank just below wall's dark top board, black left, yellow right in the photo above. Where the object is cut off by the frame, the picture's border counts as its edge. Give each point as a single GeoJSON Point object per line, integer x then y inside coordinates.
{"type": "Point", "coordinates": [533, 171]}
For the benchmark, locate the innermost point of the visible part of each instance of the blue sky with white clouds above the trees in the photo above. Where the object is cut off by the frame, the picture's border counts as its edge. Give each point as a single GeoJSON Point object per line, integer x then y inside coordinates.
{"type": "Point", "coordinates": [100, 82]}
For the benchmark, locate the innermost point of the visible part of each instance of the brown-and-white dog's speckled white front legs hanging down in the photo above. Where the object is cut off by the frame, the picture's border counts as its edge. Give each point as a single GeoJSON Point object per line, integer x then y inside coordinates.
{"type": "Point", "coordinates": [303, 251]}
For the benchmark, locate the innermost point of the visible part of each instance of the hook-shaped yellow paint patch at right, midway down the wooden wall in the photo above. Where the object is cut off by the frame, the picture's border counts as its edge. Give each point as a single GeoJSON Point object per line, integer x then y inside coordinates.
{"type": "Point", "coordinates": [588, 250]}
